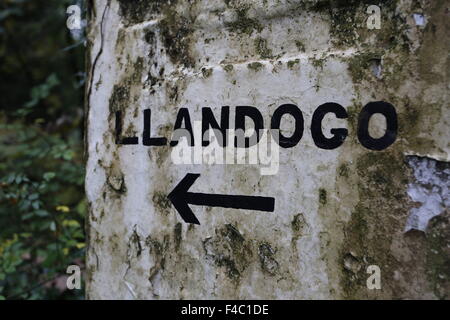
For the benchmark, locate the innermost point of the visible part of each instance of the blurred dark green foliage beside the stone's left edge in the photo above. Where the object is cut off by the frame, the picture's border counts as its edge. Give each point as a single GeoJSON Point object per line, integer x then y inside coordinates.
{"type": "Point", "coordinates": [42, 205]}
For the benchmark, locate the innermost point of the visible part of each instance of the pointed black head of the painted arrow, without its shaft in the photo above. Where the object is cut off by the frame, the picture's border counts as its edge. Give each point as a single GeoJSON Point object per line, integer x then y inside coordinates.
{"type": "Point", "coordinates": [178, 197]}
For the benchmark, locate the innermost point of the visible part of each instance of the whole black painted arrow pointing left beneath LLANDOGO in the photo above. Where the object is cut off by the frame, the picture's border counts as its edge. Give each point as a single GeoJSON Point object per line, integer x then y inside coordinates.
{"type": "Point", "coordinates": [181, 198]}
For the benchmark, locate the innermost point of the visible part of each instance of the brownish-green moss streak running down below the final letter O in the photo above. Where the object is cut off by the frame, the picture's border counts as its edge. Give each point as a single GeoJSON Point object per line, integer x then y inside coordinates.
{"type": "Point", "coordinates": [383, 177]}
